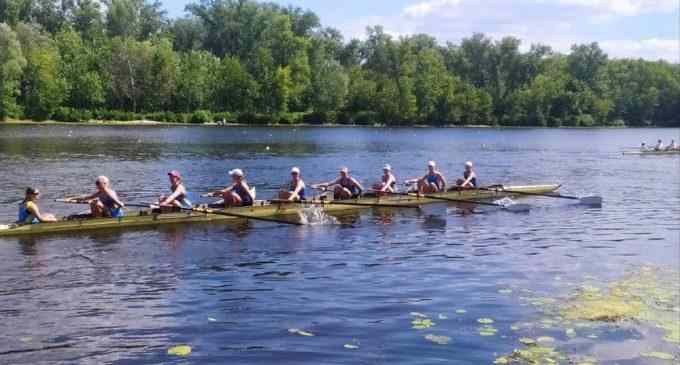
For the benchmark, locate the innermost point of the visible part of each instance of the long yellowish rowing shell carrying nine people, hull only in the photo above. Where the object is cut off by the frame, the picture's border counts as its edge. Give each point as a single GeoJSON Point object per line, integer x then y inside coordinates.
{"type": "Point", "coordinates": [260, 209]}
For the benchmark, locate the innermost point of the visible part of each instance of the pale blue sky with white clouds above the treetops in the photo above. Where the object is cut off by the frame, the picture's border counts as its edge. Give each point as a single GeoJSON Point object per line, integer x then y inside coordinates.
{"type": "Point", "coordinates": [648, 29]}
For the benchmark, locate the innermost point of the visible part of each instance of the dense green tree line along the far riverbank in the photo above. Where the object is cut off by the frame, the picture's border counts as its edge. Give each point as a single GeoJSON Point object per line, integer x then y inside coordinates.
{"type": "Point", "coordinates": [257, 62]}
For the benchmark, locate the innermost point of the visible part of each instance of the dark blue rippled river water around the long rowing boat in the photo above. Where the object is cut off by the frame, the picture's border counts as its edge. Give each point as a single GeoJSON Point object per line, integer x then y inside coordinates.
{"type": "Point", "coordinates": [232, 292]}
